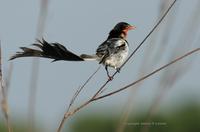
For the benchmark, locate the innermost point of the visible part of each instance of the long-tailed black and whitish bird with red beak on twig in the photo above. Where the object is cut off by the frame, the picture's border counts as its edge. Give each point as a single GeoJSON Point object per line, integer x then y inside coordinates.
{"type": "Point", "coordinates": [111, 53]}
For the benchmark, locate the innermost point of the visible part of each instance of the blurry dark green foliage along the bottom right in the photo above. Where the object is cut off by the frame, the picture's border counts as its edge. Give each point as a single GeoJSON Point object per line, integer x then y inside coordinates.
{"type": "Point", "coordinates": [186, 119]}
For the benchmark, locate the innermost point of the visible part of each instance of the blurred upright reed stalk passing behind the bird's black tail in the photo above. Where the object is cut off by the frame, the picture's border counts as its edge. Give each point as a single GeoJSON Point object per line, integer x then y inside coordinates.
{"type": "Point", "coordinates": [35, 66]}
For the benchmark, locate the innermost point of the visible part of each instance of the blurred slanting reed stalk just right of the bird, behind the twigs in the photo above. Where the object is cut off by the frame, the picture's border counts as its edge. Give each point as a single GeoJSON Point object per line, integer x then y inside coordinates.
{"type": "Point", "coordinates": [147, 59]}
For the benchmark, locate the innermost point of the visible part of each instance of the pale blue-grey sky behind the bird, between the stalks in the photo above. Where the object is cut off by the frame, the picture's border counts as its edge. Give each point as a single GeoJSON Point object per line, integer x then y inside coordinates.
{"type": "Point", "coordinates": [81, 26]}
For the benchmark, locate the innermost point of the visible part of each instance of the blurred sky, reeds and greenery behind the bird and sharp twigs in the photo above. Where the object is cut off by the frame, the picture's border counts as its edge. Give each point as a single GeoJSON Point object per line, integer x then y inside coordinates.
{"type": "Point", "coordinates": [37, 92]}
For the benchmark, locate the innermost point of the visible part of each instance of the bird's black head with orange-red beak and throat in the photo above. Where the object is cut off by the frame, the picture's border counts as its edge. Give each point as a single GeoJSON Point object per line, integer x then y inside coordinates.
{"type": "Point", "coordinates": [120, 30]}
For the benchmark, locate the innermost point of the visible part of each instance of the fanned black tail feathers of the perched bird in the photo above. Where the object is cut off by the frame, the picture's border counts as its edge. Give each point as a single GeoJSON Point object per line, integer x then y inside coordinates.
{"type": "Point", "coordinates": [54, 51]}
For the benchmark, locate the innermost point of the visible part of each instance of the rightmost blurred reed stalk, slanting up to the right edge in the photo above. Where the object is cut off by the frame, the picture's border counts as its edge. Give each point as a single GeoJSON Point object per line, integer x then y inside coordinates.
{"type": "Point", "coordinates": [170, 77]}
